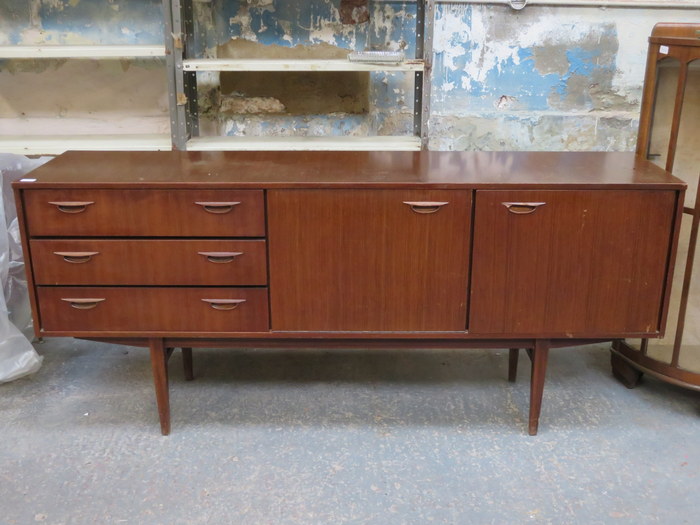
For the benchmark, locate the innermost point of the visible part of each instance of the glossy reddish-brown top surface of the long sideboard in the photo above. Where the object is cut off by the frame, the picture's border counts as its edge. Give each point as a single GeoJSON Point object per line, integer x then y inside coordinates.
{"type": "Point", "coordinates": [331, 169]}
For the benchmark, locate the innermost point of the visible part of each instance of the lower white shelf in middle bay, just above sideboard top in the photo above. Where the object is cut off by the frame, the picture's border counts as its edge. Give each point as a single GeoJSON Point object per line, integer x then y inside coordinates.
{"type": "Point", "coordinates": [384, 143]}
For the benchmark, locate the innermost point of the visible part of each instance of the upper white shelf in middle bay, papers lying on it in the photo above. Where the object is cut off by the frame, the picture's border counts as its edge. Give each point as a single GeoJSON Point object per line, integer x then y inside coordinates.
{"type": "Point", "coordinates": [216, 64]}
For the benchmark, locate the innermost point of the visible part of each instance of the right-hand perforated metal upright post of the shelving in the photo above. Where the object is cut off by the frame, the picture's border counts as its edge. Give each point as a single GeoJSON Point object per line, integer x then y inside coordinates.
{"type": "Point", "coordinates": [425, 17]}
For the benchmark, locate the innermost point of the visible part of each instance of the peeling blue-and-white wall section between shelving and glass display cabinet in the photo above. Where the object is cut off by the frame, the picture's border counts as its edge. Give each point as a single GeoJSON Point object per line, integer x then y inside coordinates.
{"type": "Point", "coordinates": [543, 78]}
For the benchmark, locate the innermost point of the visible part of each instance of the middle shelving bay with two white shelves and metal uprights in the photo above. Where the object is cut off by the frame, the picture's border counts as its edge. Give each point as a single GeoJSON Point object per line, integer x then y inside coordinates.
{"type": "Point", "coordinates": [186, 65]}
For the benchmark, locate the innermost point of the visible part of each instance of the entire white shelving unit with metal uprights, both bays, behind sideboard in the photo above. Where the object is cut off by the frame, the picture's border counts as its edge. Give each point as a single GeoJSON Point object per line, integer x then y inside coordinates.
{"type": "Point", "coordinates": [182, 70]}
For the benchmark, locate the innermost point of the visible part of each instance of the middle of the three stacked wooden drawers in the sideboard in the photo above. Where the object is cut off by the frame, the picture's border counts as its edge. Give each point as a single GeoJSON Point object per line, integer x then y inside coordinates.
{"type": "Point", "coordinates": [146, 262]}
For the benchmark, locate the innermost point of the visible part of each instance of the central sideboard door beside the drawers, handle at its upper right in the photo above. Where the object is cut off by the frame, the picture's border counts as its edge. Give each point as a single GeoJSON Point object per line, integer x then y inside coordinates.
{"type": "Point", "coordinates": [365, 260]}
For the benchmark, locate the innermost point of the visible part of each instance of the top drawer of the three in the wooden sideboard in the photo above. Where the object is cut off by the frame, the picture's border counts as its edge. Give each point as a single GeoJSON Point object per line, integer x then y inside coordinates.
{"type": "Point", "coordinates": [145, 213]}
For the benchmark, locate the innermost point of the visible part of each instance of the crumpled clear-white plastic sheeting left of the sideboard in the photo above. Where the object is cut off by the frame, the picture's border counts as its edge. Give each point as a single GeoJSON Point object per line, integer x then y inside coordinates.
{"type": "Point", "coordinates": [17, 356]}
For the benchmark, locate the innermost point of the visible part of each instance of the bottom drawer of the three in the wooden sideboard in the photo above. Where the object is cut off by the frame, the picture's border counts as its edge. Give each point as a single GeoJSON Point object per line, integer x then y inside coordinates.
{"type": "Point", "coordinates": [127, 309]}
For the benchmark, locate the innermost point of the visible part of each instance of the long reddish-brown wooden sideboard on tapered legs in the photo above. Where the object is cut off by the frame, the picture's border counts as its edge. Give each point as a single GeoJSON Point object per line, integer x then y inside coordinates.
{"type": "Point", "coordinates": [353, 249]}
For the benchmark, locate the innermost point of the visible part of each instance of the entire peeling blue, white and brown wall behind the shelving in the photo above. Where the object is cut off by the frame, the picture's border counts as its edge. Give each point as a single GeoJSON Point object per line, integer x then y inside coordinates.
{"type": "Point", "coordinates": [544, 78]}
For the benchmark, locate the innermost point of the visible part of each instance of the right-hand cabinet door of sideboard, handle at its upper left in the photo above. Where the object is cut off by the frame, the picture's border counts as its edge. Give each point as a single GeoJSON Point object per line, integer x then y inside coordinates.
{"type": "Point", "coordinates": [570, 262]}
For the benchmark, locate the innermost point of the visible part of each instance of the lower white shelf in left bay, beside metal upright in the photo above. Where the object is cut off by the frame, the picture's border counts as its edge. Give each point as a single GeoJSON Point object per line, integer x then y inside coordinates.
{"type": "Point", "coordinates": [57, 144]}
